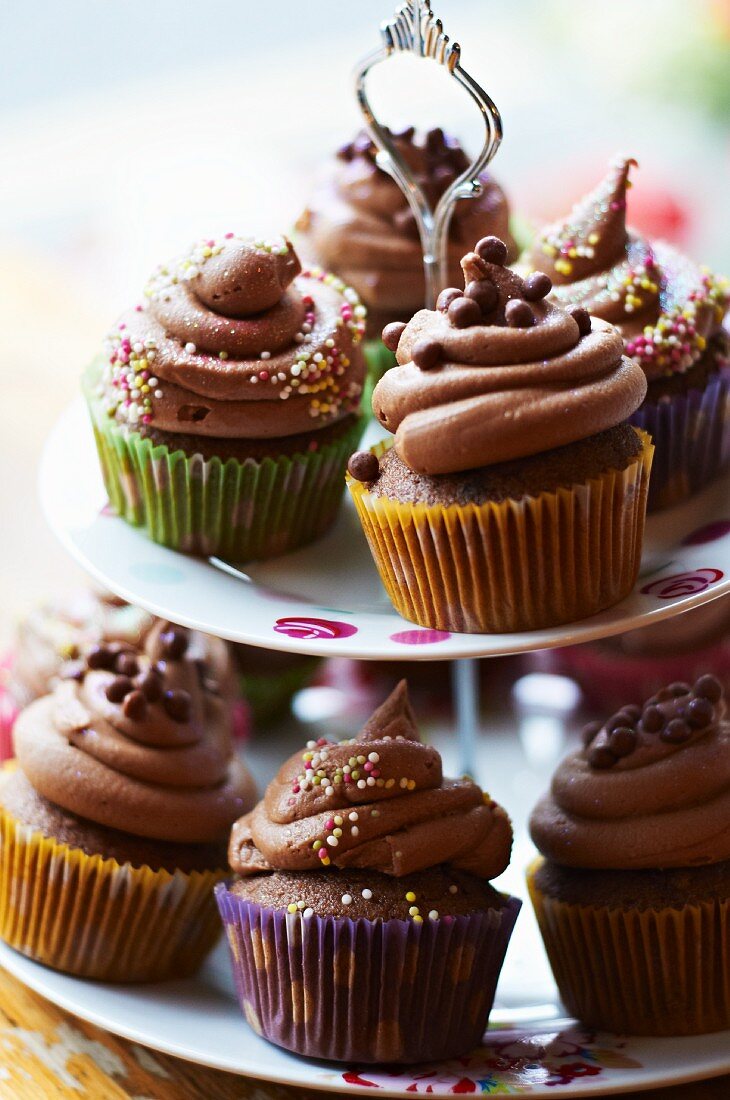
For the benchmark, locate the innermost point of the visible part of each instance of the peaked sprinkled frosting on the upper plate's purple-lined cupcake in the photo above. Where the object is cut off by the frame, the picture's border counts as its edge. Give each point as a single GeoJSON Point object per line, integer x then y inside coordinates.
{"type": "Point", "coordinates": [666, 306]}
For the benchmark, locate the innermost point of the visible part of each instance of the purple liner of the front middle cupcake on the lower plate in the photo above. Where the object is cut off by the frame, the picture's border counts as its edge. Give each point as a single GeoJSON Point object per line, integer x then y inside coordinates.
{"type": "Point", "coordinates": [384, 992]}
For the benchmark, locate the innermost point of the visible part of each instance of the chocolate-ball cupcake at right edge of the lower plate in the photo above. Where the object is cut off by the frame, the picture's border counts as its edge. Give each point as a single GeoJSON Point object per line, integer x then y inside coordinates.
{"type": "Point", "coordinates": [633, 894]}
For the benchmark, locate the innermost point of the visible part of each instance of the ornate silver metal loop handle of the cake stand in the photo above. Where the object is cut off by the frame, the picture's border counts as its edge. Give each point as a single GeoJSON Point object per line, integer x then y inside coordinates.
{"type": "Point", "coordinates": [415, 29]}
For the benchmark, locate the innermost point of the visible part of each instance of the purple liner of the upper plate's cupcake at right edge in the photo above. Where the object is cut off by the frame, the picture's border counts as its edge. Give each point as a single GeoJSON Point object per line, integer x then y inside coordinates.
{"type": "Point", "coordinates": [692, 439]}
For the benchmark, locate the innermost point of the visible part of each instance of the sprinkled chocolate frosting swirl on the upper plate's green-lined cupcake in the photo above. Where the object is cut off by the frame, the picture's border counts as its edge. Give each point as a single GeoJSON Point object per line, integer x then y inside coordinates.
{"type": "Point", "coordinates": [235, 342]}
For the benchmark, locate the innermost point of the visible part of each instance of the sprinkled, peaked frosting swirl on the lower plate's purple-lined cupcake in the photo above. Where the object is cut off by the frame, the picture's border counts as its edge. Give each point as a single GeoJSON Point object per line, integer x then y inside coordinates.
{"type": "Point", "coordinates": [377, 801]}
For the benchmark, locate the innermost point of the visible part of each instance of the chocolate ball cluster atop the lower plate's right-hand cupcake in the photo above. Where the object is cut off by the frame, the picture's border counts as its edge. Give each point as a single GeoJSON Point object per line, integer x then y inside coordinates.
{"type": "Point", "coordinates": [674, 716]}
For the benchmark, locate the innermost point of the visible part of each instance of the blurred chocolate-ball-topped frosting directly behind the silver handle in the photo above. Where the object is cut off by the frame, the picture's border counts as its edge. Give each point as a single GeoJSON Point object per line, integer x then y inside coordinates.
{"type": "Point", "coordinates": [360, 225]}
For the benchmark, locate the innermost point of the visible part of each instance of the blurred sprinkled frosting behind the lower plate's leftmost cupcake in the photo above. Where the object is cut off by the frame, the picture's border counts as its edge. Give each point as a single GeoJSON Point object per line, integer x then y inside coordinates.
{"type": "Point", "coordinates": [51, 641]}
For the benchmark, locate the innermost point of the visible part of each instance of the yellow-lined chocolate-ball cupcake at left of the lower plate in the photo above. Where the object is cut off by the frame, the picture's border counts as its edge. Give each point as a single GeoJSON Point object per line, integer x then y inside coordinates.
{"type": "Point", "coordinates": [115, 820]}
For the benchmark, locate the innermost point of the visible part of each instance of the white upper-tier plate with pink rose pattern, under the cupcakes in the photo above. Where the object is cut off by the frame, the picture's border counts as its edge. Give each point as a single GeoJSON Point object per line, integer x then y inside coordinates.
{"type": "Point", "coordinates": [328, 600]}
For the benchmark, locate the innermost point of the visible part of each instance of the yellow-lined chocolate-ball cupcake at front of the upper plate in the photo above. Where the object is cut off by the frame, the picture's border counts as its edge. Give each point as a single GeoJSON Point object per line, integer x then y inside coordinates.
{"type": "Point", "coordinates": [514, 494]}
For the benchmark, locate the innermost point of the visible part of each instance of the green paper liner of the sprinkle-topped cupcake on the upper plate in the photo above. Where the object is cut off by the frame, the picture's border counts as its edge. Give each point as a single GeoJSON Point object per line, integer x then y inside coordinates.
{"type": "Point", "coordinates": [238, 511]}
